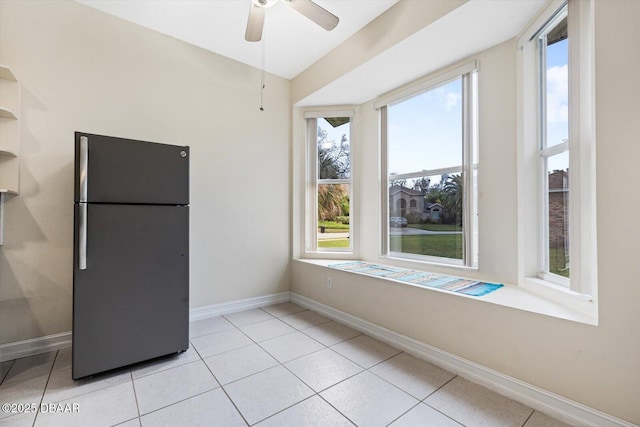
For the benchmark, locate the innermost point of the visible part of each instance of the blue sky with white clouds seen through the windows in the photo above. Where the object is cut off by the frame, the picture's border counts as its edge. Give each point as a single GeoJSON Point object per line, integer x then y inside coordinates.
{"type": "Point", "coordinates": [425, 131]}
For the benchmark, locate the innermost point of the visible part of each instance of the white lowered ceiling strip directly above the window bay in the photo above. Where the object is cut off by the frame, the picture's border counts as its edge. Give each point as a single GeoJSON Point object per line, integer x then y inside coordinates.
{"type": "Point", "coordinates": [471, 28]}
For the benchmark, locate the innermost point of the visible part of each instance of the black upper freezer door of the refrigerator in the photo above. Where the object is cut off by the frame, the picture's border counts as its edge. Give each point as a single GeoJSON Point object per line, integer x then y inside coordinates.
{"type": "Point", "coordinates": [120, 170]}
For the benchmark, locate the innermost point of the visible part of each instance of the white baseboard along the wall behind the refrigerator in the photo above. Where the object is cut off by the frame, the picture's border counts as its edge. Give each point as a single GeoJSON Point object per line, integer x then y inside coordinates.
{"type": "Point", "coordinates": [30, 347]}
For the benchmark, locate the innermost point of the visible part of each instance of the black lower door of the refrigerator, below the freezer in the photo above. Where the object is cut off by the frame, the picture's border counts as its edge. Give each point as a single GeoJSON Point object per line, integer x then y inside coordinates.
{"type": "Point", "coordinates": [131, 303]}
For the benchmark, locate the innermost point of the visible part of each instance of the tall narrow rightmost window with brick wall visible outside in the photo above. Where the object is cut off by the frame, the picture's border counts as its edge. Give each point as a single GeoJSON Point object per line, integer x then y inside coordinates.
{"type": "Point", "coordinates": [556, 153]}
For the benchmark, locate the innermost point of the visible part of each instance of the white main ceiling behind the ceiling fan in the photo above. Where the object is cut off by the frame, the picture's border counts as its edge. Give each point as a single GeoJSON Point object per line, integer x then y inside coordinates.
{"type": "Point", "coordinates": [292, 42]}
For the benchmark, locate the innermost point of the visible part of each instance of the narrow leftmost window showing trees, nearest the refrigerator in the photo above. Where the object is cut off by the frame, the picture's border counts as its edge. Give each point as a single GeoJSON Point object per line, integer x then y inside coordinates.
{"type": "Point", "coordinates": [329, 169]}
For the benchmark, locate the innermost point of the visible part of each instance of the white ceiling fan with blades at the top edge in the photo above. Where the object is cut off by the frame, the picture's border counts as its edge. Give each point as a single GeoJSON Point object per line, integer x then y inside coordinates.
{"type": "Point", "coordinates": [311, 10]}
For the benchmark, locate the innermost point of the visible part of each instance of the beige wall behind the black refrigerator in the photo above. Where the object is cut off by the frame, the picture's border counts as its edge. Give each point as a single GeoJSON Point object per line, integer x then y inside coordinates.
{"type": "Point", "coordinates": [84, 70]}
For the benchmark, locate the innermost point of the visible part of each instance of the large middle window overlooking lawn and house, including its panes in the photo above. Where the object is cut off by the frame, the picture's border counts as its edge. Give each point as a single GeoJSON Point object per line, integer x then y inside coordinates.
{"type": "Point", "coordinates": [430, 163]}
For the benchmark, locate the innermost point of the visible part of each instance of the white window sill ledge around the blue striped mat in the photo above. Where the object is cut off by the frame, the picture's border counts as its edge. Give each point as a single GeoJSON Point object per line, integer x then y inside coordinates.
{"type": "Point", "coordinates": [517, 297]}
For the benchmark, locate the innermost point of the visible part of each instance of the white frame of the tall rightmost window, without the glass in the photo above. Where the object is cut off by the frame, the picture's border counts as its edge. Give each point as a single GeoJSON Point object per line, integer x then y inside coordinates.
{"type": "Point", "coordinates": [580, 291]}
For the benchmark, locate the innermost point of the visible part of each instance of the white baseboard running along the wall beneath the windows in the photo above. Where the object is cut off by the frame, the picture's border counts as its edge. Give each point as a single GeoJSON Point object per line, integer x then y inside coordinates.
{"type": "Point", "coordinates": [552, 404]}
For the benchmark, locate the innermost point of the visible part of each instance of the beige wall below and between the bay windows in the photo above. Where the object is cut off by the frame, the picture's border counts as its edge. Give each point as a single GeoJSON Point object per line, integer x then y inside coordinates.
{"type": "Point", "coordinates": [594, 365]}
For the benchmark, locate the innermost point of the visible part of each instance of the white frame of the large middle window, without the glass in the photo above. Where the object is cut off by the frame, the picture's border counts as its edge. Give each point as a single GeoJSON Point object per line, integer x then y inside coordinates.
{"type": "Point", "coordinates": [468, 73]}
